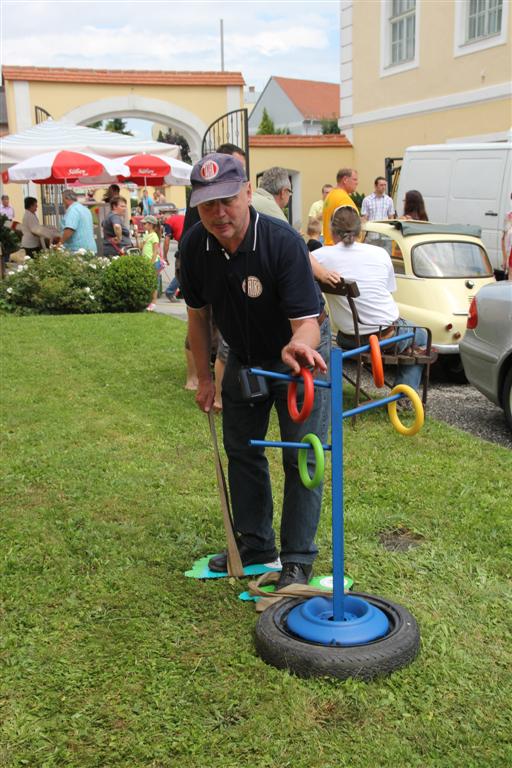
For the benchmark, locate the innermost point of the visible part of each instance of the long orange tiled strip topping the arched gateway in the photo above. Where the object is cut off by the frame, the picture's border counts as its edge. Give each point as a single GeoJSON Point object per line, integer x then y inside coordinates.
{"type": "Point", "coordinates": [121, 76]}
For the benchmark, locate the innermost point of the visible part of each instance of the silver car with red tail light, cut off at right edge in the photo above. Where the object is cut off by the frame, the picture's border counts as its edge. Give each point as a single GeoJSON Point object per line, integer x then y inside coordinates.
{"type": "Point", "coordinates": [486, 349]}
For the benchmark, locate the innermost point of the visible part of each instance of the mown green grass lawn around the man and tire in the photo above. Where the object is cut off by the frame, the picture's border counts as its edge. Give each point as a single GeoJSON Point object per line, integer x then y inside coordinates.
{"type": "Point", "coordinates": [111, 657]}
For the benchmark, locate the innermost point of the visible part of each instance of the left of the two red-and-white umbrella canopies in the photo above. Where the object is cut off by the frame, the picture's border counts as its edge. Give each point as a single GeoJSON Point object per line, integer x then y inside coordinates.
{"type": "Point", "coordinates": [61, 166]}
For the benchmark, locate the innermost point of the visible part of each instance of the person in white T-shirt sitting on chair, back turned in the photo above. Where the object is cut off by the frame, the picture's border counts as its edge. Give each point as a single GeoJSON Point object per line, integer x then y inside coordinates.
{"type": "Point", "coordinates": [370, 266]}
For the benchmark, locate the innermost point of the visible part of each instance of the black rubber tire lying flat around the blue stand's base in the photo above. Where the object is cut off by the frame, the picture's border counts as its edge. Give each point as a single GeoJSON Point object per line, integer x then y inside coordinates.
{"type": "Point", "coordinates": [279, 647]}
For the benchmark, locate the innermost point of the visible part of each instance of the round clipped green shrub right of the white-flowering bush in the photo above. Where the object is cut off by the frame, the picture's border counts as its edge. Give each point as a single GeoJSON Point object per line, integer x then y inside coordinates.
{"type": "Point", "coordinates": [128, 284]}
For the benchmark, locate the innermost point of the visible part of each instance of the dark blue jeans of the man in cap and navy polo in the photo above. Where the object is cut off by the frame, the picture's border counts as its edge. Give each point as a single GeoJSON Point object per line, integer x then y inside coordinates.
{"type": "Point", "coordinates": [248, 472]}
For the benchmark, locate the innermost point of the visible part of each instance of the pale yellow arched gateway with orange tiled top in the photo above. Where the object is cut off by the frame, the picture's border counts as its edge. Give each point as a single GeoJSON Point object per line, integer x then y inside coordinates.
{"type": "Point", "coordinates": [187, 102]}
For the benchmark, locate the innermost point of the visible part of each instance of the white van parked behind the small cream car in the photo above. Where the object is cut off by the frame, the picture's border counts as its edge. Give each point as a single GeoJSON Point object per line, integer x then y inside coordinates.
{"type": "Point", "coordinates": [462, 184]}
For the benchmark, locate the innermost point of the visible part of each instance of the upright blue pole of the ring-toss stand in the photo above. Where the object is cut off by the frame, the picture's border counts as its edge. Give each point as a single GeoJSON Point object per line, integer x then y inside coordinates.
{"type": "Point", "coordinates": [338, 565]}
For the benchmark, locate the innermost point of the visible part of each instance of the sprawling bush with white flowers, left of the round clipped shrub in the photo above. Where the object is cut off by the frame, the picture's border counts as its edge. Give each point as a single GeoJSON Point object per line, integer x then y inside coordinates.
{"type": "Point", "coordinates": [54, 282]}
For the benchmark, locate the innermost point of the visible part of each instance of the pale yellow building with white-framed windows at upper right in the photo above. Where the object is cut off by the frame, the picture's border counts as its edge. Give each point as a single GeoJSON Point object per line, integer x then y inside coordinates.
{"type": "Point", "coordinates": [422, 72]}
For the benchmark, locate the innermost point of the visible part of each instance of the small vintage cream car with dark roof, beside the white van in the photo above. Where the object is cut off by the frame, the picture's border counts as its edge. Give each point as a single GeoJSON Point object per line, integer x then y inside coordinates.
{"type": "Point", "coordinates": [439, 268]}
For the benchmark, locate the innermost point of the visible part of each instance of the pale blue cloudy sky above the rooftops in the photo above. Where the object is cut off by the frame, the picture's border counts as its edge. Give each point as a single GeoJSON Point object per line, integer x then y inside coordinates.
{"type": "Point", "coordinates": [288, 38]}
